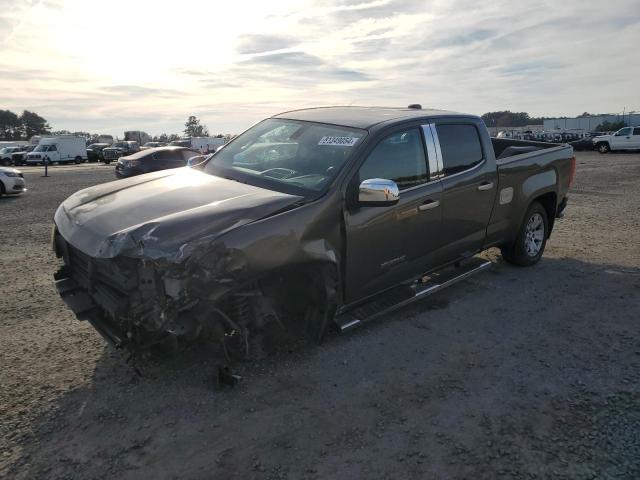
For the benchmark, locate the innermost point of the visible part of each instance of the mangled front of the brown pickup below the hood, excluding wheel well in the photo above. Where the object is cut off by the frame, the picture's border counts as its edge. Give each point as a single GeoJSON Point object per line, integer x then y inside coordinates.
{"type": "Point", "coordinates": [136, 303]}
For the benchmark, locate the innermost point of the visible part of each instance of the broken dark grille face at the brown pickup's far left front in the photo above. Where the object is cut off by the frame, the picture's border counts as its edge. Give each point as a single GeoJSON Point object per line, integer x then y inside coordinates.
{"type": "Point", "coordinates": [96, 290]}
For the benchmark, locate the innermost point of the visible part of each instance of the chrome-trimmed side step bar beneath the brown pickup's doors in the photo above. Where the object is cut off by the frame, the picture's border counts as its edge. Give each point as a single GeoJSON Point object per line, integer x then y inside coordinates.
{"type": "Point", "coordinates": [404, 295]}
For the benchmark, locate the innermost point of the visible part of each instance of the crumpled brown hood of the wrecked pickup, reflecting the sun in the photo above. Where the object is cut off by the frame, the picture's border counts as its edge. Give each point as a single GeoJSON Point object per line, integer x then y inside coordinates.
{"type": "Point", "coordinates": [161, 214]}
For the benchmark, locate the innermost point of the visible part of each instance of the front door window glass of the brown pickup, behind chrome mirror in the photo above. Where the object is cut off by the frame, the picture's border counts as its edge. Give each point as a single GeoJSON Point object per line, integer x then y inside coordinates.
{"type": "Point", "coordinates": [399, 157]}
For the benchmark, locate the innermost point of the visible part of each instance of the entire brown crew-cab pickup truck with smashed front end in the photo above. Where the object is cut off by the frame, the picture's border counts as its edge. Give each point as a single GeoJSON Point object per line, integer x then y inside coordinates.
{"type": "Point", "coordinates": [310, 219]}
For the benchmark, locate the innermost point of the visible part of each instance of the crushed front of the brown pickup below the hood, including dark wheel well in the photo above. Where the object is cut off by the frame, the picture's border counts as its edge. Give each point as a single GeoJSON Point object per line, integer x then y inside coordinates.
{"type": "Point", "coordinates": [137, 303]}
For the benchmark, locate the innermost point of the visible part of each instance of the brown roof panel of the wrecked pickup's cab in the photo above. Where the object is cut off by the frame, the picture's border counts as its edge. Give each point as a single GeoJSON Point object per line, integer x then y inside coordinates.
{"type": "Point", "coordinates": [360, 117]}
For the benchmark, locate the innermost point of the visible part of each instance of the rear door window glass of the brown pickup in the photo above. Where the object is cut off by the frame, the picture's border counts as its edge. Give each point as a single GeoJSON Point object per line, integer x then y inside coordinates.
{"type": "Point", "coordinates": [460, 146]}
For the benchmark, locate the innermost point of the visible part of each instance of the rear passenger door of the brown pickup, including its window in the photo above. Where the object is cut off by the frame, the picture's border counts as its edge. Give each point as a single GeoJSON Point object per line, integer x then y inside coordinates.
{"type": "Point", "coordinates": [469, 186]}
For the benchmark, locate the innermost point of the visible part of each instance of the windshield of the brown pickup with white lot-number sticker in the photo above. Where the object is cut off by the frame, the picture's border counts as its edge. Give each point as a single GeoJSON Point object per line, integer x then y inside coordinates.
{"type": "Point", "coordinates": [286, 155]}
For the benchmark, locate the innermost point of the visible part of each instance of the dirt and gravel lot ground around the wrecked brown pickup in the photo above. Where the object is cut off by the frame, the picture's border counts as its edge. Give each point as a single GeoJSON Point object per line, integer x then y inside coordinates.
{"type": "Point", "coordinates": [516, 373]}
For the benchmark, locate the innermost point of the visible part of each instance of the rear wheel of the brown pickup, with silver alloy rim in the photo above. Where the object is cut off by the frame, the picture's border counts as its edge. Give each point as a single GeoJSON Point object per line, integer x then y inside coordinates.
{"type": "Point", "coordinates": [532, 237]}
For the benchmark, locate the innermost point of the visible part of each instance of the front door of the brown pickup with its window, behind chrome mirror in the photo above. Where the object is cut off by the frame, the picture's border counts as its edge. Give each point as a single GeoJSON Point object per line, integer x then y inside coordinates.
{"type": "Point", "coordinates": [387, 245]}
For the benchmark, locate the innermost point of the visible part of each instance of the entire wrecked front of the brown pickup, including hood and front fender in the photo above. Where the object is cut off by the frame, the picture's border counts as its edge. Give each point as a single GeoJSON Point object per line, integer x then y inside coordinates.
{"type": "Point", "coordinates": [185, 256]}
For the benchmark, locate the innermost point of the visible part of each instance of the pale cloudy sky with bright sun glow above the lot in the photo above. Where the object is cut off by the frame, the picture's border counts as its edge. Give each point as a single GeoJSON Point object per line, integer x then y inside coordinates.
{"type": "Point", "coordinates": [107, 67]}
